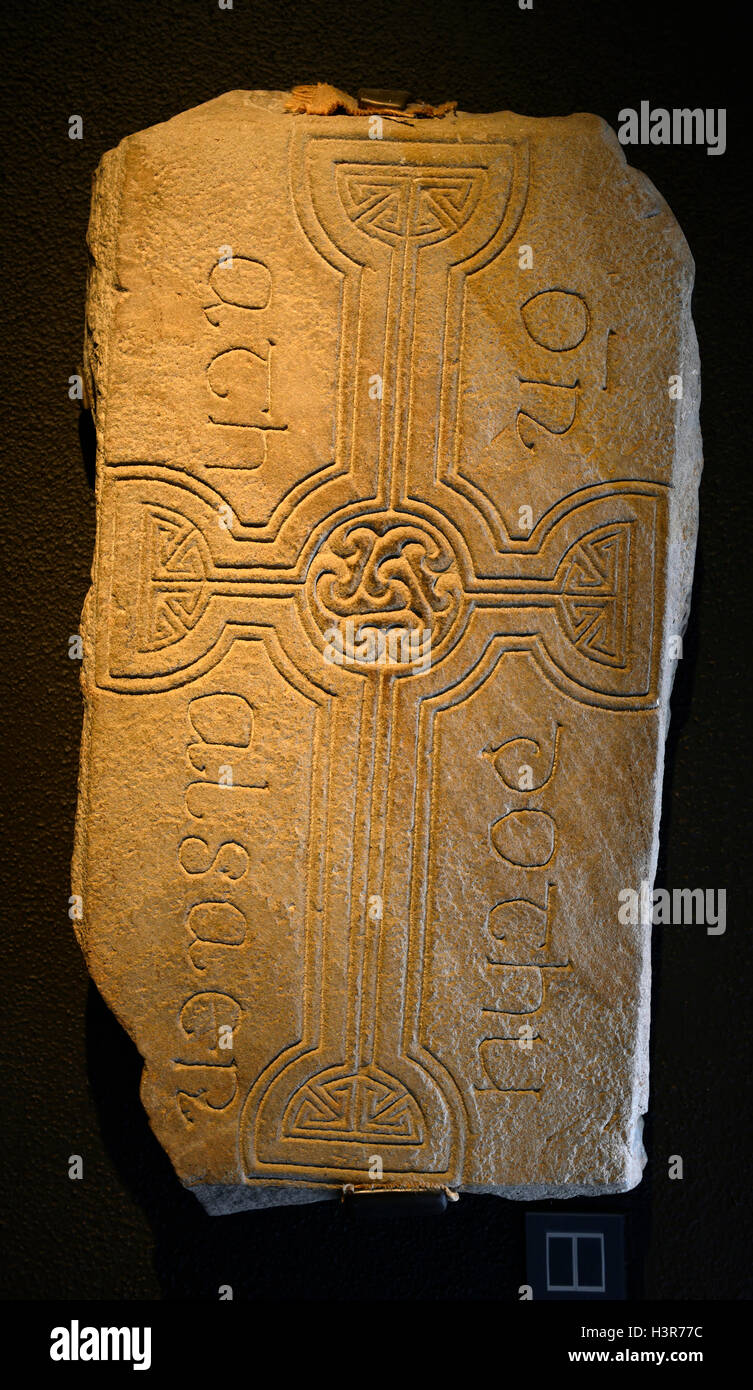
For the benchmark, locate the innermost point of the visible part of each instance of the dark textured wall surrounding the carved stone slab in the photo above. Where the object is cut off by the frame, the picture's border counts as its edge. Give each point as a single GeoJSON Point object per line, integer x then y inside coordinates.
{"type": "Point", "coordinates": [129, 1231]}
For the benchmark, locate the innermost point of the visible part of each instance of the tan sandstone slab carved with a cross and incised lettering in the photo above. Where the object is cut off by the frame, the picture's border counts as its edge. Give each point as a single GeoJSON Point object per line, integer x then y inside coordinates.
{"type": "Point", "coordinates": [398, 459]}
